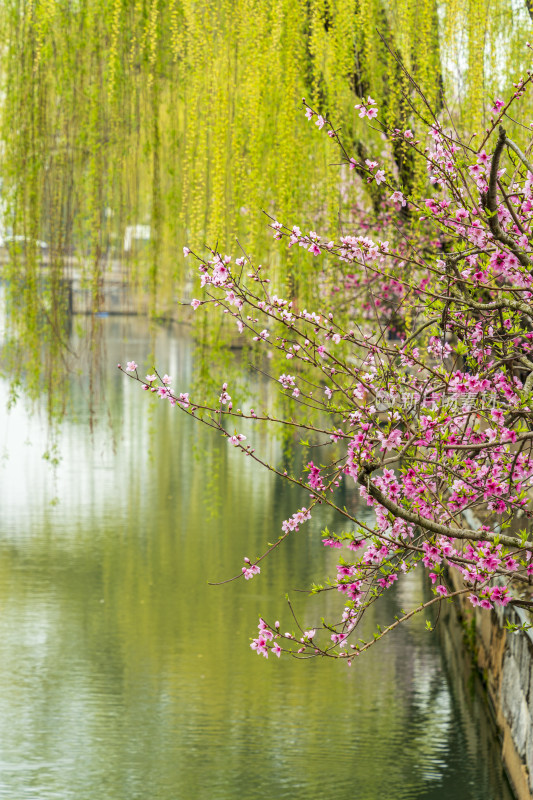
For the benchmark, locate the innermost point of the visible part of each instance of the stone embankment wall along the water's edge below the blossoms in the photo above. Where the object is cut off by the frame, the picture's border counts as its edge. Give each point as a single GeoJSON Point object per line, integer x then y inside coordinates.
{"type": "Point", "coordinates": [505, 660]}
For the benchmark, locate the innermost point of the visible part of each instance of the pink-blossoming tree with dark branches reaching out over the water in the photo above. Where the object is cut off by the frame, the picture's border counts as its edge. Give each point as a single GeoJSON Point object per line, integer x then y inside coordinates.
{"type": "Point", "coordinates": [417, 387]}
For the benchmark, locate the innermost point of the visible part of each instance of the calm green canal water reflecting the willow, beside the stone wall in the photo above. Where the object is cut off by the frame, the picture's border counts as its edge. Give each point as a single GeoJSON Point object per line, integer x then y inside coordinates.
{"type": "Point", "coordinates": [125, 676]}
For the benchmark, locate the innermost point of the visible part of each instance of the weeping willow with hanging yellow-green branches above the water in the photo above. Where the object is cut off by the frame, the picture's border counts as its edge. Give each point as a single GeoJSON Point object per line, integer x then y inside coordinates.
{"type": "Point", "coordinates": [182, 119]}
